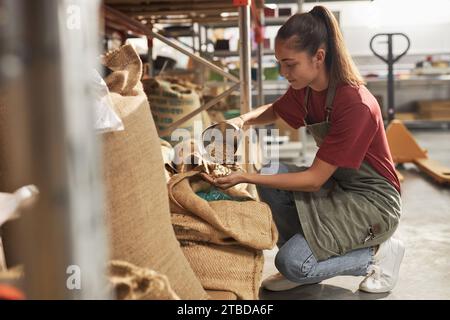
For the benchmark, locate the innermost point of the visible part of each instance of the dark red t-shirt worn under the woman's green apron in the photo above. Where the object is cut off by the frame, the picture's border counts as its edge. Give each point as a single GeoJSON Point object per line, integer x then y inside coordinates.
{"type": "Point", "coordinates": [357, 131]}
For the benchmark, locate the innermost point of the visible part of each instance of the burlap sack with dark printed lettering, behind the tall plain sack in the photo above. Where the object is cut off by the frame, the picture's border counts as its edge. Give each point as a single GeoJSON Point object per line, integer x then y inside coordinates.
{"type": "Point", "coordinates": [170, 102]}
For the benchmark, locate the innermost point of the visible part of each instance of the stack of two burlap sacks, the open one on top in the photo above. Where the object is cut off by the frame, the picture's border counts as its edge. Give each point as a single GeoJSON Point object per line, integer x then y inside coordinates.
{"type": "Point", "coordinates": [223, 240]}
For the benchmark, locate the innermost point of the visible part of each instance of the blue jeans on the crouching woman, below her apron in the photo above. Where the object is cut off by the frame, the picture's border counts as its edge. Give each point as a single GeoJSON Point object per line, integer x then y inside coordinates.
{"type": "Point", "coordinates": [295, 260]}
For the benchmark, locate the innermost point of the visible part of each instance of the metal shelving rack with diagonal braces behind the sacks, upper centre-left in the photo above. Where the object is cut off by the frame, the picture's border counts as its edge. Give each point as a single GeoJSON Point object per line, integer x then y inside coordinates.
{"type": "Point", "coordinates": [140, 16]}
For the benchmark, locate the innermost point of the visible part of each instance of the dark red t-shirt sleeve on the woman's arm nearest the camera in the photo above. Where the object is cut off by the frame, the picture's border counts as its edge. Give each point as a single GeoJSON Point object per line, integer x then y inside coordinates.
{"type": "Point", "coordinates": [351, 133]}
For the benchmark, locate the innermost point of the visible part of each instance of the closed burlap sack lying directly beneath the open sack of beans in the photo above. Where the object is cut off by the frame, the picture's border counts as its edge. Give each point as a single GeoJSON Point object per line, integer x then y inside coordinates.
{"type": "Point", "coordinates": [236, 269]}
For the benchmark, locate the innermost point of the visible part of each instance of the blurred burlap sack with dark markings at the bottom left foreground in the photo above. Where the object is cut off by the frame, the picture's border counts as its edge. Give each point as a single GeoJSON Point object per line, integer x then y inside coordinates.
{"type": "Point", "coordinates": [130, 282]}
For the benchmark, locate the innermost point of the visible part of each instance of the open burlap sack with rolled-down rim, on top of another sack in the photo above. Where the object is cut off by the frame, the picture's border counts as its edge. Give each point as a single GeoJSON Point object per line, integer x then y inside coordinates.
{"type": "Point", "coordinates": [247, 223]}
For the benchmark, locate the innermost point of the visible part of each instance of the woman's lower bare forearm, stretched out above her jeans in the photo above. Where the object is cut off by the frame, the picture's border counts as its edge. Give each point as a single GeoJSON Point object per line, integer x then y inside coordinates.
{"type": "Point", "coordinates": [298, 181]}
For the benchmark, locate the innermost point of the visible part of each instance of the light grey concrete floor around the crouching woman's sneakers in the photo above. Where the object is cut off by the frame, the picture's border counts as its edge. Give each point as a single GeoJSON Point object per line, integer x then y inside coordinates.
{"type": "Point", "coordinates": [424, 228]}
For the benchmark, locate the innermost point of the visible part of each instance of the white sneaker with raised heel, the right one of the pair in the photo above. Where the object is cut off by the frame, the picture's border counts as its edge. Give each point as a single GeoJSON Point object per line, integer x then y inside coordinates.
{"type": "Point", "coordinates": [383, 274]}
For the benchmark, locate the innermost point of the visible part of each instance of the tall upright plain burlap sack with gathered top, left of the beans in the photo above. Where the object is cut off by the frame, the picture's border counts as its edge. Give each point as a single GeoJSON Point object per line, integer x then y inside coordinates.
{"type": "Point", "coordinates": [137, 206]}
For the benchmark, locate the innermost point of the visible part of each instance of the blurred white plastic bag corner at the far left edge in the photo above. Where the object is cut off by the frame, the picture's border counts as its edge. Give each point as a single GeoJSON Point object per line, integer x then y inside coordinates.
{"type": "Point", "coordinates": [10, 202]}
